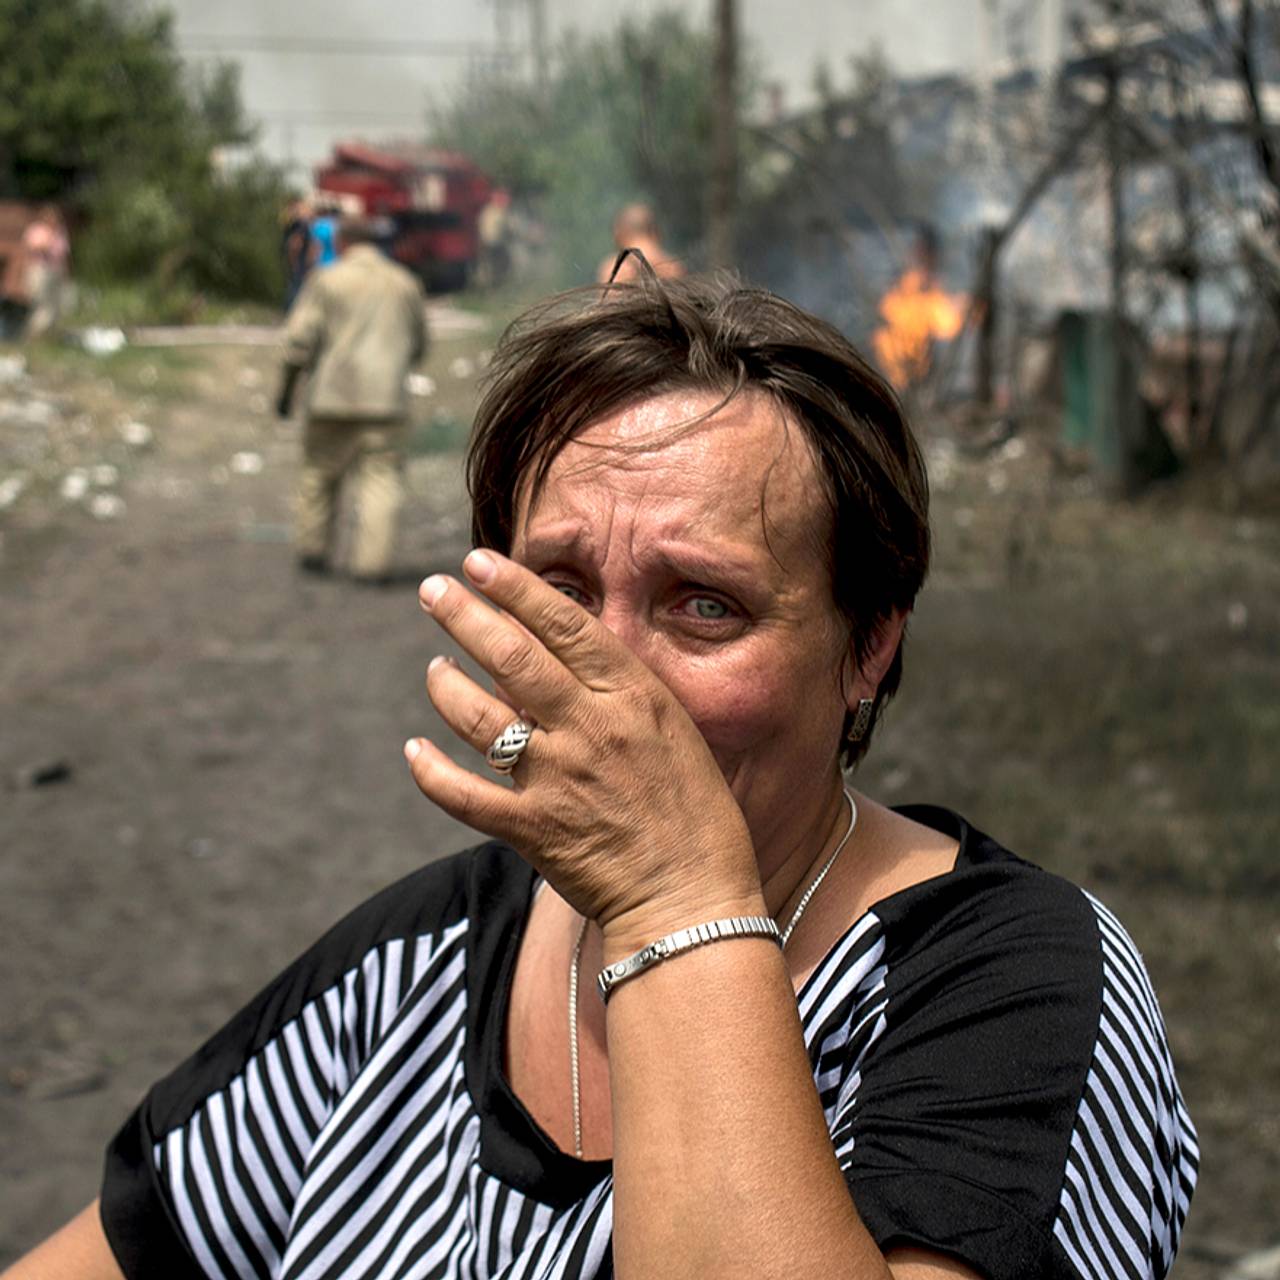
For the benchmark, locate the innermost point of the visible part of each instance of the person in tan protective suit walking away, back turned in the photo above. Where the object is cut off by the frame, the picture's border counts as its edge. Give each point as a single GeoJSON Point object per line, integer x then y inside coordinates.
{"type": "Point", "coordinates": [358, 330]}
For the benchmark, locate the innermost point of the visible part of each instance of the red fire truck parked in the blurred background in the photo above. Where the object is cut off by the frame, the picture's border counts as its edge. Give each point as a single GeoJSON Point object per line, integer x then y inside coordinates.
{"type": "Point", "coordinates": [431, 199]}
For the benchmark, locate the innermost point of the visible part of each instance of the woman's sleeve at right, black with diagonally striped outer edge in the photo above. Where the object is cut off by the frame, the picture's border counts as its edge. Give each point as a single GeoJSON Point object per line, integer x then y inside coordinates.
{"type": "Point", "coordinates": [1017, 1105]}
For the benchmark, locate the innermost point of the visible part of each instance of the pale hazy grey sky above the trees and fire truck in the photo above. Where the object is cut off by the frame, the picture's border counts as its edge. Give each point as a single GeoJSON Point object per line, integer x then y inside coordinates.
{"type": "Point", "coordinates": [307, 99]}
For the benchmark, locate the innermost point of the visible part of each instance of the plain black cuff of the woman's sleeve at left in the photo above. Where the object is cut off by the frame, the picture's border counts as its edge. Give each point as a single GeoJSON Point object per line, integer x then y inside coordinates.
{"type": "Point", "coordinates": [144, 1237]}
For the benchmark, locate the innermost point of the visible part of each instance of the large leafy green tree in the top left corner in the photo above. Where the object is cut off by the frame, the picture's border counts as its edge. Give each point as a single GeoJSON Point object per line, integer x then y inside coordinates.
{"type": "Point", "coordinates": [99, 113]}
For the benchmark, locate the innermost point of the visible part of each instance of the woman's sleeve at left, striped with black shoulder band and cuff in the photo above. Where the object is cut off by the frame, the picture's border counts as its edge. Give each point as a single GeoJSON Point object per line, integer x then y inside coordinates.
{"type": "Point", "coordinates": [204, 1177]}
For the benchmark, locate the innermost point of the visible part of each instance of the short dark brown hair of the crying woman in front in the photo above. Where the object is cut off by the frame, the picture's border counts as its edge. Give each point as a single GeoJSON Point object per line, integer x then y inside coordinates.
{"type": "Point", "coordinates": [587, 354]}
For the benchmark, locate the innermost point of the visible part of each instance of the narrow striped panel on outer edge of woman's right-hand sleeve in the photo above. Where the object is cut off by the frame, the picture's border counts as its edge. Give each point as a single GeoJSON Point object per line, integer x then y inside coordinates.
{"type": "Point", "coordinates": [1133, 1155]}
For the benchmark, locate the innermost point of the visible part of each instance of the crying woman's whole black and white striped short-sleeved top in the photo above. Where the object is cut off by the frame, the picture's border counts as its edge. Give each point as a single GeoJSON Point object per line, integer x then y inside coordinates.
{"type": "Point", "coordinates": [988, 1049]}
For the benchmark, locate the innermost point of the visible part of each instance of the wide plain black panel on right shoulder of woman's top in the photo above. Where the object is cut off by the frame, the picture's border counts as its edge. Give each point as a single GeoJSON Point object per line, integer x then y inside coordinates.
{"type": "Point", "coordinates": [968, 1100]}
